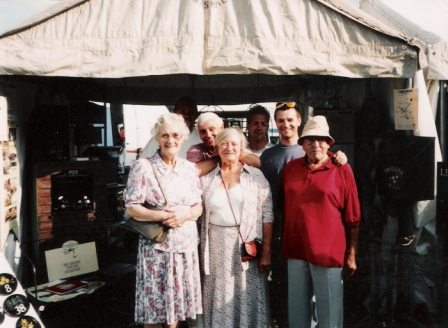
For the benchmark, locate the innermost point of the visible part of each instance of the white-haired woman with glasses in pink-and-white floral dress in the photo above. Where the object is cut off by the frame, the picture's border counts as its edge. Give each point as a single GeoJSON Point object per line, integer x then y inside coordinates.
{"type": "Point", "coordinates": [168, 287]}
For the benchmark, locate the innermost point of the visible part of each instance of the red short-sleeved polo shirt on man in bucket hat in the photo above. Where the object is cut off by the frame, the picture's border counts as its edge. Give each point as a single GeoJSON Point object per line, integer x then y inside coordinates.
{"type": "Point", "coordinates": [318, 205]}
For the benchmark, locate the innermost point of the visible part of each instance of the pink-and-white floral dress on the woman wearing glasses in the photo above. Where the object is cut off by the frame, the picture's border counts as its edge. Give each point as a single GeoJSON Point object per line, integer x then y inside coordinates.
{"type": "Point", "coordinates": [168, 284]}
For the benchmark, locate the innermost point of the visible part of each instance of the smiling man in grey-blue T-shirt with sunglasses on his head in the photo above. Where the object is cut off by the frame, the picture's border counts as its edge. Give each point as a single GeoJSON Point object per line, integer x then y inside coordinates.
{"type": "Point", "coordinates": [287, 119]}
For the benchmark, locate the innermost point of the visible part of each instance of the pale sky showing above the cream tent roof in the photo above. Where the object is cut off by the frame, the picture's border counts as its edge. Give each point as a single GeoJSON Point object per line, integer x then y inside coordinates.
{"type": "Point", "coordinates": [13, 12]}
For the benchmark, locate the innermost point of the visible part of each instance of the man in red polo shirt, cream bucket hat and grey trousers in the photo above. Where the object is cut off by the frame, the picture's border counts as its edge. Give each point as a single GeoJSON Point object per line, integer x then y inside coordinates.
{"type": "Point", "coordinates": [321, 224]}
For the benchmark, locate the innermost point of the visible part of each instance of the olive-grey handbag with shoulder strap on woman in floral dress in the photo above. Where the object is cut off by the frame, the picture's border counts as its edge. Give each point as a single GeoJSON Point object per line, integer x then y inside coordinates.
{"type": "Point", "coordinates": [152, 230]}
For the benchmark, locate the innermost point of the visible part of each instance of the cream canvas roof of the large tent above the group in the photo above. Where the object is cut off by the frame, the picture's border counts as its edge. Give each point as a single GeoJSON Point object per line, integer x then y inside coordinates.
{"type": "Point", "coordinates": [131, 38]}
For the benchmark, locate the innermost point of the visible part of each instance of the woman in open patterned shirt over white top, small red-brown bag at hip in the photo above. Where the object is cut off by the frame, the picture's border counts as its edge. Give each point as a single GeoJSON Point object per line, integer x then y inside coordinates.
{"type": "Point", "coordinates": [237, 208]}
